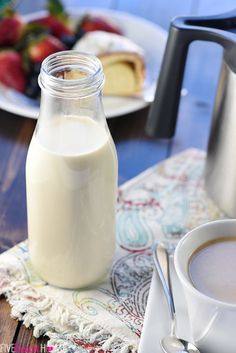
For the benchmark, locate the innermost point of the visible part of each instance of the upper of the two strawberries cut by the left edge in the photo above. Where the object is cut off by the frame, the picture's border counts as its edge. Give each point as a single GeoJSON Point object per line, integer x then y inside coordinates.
{"type": "Point", "coordinates": [10, 29]}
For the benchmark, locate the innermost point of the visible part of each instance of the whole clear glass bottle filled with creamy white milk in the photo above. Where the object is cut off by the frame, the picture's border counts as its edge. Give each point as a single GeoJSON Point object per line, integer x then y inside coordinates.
{"type": "Point", "coordinates": [71, 175]}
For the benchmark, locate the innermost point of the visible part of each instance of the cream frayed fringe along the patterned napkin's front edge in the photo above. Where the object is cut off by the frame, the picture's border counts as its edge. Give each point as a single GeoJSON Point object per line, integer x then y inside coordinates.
{"type": "Point", "coordinates": [43, 313]}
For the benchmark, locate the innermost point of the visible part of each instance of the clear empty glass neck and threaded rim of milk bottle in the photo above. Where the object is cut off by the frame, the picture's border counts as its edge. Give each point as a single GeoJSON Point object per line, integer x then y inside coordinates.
{"type": "Point", "coordinates": [71, 85]}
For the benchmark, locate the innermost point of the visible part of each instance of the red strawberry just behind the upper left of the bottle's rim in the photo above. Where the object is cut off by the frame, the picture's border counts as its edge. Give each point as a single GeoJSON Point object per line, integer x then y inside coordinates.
{"type": "Point", "coordinates": [44, 46]}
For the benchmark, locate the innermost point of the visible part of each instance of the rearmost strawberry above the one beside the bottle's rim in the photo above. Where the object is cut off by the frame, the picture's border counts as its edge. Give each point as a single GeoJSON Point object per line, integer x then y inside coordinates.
{"type": "Point", "coordinates": [55, 26]}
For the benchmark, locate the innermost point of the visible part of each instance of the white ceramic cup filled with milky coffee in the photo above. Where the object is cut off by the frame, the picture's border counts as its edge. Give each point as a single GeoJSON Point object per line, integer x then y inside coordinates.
{"type": "Point", "coordinates": [205, 262]}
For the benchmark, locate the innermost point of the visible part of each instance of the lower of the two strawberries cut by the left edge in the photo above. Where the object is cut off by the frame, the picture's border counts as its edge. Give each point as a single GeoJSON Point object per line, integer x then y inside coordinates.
{"type": "Point", "coordinates": [11, 70]}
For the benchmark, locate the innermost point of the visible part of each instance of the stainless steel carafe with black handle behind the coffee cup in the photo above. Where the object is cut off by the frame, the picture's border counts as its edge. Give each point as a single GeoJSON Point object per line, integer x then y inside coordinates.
{"type": "Point", "coordinates": [220, 171]}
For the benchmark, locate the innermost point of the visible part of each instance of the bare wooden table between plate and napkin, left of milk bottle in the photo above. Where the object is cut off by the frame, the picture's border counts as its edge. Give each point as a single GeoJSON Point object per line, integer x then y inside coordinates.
{"type": "Point", "coordinates": [15, 134]}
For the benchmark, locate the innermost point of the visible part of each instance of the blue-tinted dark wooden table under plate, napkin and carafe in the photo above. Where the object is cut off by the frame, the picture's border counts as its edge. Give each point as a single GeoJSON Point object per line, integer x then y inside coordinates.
{"type": "Point", "coordinates": [136, 151]}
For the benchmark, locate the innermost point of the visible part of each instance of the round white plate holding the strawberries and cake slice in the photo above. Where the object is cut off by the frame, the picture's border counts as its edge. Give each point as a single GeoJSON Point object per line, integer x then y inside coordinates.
{"type": "Point", "coordinates": [148, 35]}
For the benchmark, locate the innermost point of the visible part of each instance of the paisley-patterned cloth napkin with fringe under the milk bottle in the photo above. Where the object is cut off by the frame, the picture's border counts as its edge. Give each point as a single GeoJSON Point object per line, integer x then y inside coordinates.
{"type": "Point", "coordinates": [163, 203]}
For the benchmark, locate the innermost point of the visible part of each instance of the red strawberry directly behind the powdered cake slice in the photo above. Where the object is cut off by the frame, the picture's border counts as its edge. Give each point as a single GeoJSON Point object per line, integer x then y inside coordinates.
{"type": "Point", "coordinates": [93, 23]}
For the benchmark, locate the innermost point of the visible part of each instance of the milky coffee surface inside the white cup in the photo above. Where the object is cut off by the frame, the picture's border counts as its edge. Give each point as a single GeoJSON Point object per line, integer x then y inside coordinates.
{"type": "Point", "coordinates": [212, 269]}
